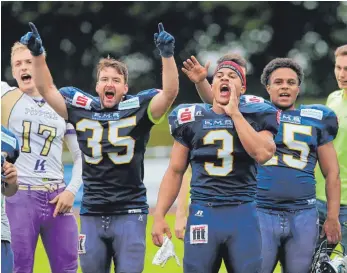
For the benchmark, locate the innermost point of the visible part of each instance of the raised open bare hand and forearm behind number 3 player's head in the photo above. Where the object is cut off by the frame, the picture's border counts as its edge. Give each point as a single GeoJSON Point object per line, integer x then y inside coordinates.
{"type": "Point", "coordinates": [198, 74]}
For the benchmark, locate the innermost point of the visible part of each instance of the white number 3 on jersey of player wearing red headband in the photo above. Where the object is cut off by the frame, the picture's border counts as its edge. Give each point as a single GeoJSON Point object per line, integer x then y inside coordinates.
{"type": "Point", "coordinates": [224, 153]}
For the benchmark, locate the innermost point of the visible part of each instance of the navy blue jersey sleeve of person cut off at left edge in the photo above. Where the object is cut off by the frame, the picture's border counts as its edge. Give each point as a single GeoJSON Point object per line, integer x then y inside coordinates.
{"type": "Point", "coordinates": [9, 147]}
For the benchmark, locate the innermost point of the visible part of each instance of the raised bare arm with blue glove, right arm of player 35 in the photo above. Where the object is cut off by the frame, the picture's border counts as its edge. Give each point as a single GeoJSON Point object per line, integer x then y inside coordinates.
{"type": "Point", "coordinates": [162, 102]}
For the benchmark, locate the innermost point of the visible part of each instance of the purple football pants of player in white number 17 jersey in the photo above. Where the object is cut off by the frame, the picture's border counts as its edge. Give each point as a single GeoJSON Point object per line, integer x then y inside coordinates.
{"type": "Point", "coordinates": [30, 215]}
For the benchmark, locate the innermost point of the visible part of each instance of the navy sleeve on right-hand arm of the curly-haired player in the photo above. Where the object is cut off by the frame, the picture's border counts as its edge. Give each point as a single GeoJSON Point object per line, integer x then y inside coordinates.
{"type": "Point", "coordinates": [330, 127]}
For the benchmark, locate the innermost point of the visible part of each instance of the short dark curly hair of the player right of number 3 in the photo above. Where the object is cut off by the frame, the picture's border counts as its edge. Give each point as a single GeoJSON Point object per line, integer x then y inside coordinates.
{"type": "Point", "coordinates": [281, 63]}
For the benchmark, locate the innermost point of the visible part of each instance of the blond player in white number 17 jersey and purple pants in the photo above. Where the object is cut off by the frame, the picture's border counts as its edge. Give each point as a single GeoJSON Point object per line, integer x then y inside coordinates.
{"type": "Point", "coordinates": [42, 205]}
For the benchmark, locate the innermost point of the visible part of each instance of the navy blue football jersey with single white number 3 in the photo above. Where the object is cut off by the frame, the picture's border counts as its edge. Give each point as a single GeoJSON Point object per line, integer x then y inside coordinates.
{"type": "Point", "coordinates": [222, 171]}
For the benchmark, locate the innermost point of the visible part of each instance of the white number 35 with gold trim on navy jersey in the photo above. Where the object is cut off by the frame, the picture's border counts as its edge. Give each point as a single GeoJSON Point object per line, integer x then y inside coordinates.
{"type": "Point", "coordinates": [94, 142]}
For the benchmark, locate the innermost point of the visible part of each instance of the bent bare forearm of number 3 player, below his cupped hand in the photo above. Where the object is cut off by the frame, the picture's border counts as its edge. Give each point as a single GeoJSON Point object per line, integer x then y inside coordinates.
{"type": "Point", "coordinates": [258, 146]}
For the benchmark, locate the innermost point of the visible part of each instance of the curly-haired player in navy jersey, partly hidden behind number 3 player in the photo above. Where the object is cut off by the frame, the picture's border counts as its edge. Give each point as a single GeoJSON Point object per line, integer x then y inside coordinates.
{"type": "Point", "coordinates": [286, 197]}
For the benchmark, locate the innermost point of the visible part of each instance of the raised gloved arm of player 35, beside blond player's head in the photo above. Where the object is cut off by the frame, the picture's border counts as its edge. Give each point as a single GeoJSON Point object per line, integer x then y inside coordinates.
{"type": "Point", "coordinates": [41, 74]}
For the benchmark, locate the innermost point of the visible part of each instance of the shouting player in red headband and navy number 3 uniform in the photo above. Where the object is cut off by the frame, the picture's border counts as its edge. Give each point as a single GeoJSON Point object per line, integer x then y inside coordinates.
{"type": "Point", "coordinates": [223, 143]}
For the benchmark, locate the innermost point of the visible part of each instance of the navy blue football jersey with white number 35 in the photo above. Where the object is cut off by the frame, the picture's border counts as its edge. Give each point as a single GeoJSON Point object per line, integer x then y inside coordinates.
{"type": "Point", "coordinates": [113, 142]}
